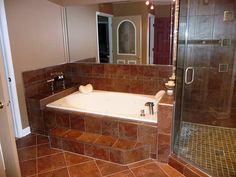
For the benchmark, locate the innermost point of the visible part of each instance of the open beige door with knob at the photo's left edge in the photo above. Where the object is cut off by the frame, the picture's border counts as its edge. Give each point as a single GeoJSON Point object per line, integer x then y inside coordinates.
{"type": "Point", "coordinates": [8, 152]}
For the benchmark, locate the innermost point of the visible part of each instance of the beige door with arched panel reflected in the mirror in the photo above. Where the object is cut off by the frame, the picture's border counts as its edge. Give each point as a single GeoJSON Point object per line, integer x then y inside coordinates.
{"type": "Point", "coordinates": [135, 53]}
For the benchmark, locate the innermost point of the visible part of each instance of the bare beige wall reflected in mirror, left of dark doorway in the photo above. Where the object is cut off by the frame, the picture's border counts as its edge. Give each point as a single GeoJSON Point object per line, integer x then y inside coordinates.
{"type": "Point", "coordinates": [82, 31]}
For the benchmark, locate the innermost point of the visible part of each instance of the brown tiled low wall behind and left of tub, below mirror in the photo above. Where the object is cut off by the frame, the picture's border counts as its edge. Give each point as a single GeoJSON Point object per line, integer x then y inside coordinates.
{"type": "Point", "coordinates": [139, 79]}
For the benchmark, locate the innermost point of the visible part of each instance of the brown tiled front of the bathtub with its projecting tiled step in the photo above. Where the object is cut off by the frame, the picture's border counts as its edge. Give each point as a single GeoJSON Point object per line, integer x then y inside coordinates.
{"type": "Point", "coordinates": [103, 137]}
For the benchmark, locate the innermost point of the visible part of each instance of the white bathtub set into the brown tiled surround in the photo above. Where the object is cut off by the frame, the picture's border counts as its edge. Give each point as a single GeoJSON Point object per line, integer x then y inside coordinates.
{"type": "Point", "coordinates": [115, 104]}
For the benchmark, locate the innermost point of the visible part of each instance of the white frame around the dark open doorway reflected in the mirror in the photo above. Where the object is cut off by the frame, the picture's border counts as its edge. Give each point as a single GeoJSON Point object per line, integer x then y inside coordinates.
{"type": "Point", "coordinates": [110, 35]}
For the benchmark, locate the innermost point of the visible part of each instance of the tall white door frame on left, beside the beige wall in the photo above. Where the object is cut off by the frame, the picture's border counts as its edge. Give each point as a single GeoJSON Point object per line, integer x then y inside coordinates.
{"type": "Point", "coordinates": [9, 73]}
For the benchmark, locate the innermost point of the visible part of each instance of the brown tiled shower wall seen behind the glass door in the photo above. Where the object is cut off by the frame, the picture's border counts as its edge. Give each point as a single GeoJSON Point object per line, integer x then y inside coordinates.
{"type": "Point", "coordinates": [208, 99]}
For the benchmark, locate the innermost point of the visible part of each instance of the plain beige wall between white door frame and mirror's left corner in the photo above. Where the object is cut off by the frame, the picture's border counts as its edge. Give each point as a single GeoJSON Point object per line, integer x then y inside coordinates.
{"type": "Point", "coordinates": [36, 38]}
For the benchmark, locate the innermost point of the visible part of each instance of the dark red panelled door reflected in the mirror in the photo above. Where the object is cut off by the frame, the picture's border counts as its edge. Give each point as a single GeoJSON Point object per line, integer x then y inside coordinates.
{"type": "Point", "coordinates": [162, 41]}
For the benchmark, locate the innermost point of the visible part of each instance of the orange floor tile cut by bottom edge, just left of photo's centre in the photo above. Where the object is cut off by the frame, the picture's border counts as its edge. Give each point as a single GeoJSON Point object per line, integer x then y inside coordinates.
{"type": "Point", "coordinates": [88, 169]}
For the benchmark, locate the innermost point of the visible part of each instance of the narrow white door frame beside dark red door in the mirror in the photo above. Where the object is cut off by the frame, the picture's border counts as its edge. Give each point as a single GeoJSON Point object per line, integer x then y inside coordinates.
{"type": "Point", "coordinates": [149, 36]}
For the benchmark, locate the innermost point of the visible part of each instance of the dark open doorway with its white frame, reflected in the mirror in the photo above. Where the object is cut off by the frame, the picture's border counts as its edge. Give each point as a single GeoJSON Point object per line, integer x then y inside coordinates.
{"type": "Point", "coordinates": [104, 37]}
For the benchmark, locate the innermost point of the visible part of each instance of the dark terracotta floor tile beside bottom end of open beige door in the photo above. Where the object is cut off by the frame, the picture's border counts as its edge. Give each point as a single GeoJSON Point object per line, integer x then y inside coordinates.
{"type": "Point", "coordinates": [28, 168]}
